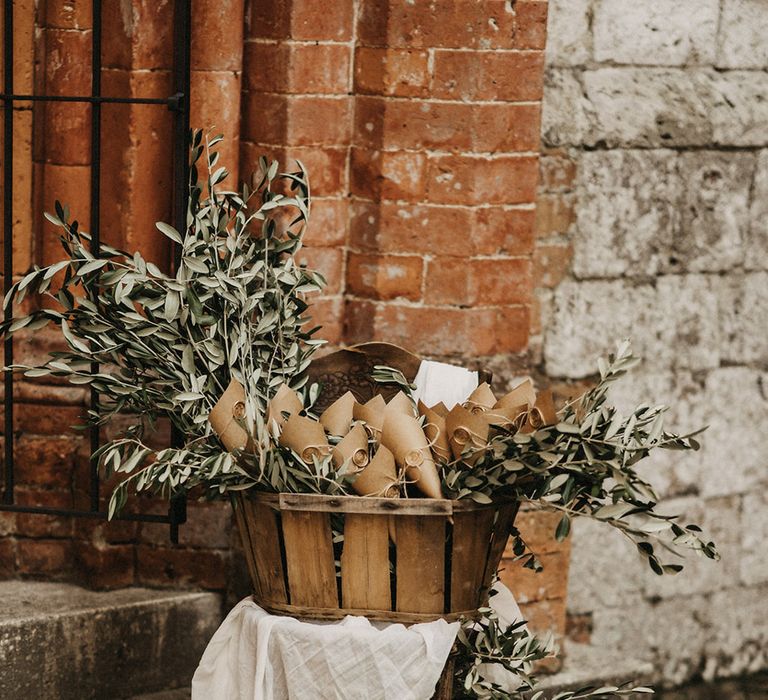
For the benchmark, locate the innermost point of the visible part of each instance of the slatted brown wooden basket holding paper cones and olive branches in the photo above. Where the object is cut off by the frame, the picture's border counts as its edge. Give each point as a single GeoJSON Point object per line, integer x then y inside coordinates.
{"type": "Point", "coordinates": [402, 560]}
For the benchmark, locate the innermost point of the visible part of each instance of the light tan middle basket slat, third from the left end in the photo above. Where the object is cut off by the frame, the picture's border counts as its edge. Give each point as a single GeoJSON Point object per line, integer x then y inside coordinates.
{"type": "Point", "coordinates": [365, 563]}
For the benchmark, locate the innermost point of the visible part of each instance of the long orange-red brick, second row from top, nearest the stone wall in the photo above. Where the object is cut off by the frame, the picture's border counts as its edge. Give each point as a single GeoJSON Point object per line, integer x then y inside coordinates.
{"type": "Point", "coordinates": [488, 75]}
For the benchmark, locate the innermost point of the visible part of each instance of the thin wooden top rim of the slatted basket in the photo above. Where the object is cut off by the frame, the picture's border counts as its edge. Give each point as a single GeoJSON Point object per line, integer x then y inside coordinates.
{"type": "Point", "coordinates": [368, 505]}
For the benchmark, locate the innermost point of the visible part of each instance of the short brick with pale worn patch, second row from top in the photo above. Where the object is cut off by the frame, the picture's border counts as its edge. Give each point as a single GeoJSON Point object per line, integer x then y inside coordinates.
{"type": "Point", "coordinates": [384, 71]}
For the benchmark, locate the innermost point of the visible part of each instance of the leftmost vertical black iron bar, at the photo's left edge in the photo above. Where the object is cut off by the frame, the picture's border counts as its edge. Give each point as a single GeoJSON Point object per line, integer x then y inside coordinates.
{"type": "Point", "coordinates": [8, 244]}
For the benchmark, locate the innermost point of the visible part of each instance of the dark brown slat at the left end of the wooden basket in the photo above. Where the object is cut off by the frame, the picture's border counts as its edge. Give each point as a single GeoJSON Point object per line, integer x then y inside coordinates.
{"type": "Point", "coordinates": [261, 522]}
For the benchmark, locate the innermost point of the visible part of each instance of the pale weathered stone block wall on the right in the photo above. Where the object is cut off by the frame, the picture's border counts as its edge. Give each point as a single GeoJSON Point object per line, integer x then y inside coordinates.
{"type": "Point", "coordinates": [652, 224]}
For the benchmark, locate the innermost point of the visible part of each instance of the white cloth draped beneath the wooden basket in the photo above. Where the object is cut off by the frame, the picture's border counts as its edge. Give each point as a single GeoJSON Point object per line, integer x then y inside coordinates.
{"type": "Point", "coordinates": [258, 656]}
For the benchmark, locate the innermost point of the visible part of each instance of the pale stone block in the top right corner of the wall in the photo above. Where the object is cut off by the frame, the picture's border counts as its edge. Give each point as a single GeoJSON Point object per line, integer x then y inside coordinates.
{"type": "Point", "coordinates": [741, 40]}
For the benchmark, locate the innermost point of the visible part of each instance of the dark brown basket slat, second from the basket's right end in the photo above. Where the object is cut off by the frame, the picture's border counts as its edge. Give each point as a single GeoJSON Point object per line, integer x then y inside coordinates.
{"type": "Point", "coordinates": [471, 542]}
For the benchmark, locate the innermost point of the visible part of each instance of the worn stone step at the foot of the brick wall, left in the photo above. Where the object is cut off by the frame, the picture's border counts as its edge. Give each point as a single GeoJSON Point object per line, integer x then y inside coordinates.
{"type": "Point", "coordinates": [62, 642]}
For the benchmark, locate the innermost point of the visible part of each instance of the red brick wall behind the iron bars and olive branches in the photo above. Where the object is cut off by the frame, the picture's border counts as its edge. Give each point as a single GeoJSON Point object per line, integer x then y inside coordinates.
{"type": "Point", "coordinates": [419, 124]}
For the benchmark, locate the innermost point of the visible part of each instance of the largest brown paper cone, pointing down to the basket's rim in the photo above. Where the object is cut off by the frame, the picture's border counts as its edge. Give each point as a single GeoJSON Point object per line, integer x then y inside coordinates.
{"type": "Point", "coordinates": [403, 436]}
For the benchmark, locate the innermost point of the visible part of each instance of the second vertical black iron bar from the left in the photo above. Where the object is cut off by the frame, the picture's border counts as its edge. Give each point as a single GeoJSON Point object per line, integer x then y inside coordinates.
{"type": "Point", "coordinates": [94, 433]}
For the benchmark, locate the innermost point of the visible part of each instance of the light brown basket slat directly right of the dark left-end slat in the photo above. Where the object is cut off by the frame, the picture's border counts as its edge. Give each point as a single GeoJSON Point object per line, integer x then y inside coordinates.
{"type": "Point", "coordinates": [309, 557]}
